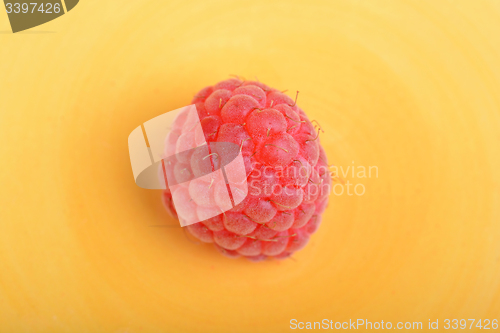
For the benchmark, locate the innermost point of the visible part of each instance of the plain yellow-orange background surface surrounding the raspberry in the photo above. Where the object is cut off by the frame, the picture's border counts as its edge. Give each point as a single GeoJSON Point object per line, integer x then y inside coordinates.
{"type": "Point", "coordinates": [412, 87]}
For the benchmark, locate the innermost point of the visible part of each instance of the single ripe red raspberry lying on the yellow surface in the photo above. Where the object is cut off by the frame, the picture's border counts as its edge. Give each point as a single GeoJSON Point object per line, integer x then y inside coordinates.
{"type": "Point", "coordinates": [286, 169]}
